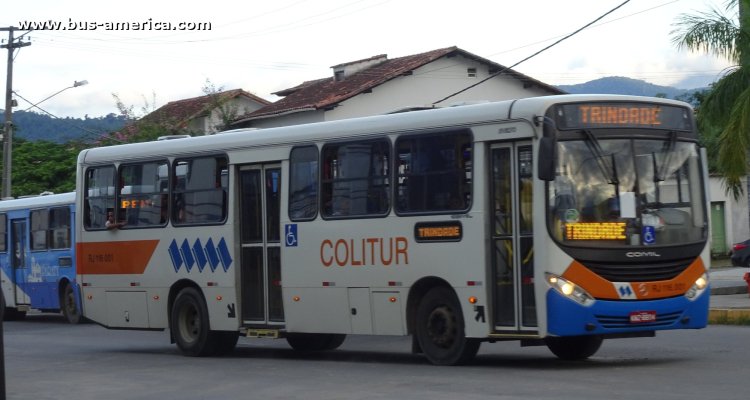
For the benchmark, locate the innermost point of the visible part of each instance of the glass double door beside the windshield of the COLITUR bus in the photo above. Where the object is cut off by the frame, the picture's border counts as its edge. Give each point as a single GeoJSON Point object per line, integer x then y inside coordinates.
{"type": "Point", "coordinates": [512, 237]}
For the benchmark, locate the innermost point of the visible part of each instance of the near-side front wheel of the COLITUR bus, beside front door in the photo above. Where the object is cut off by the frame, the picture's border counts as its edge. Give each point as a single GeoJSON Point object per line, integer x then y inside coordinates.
{"type": "Point", "coordinates": [440, 329]}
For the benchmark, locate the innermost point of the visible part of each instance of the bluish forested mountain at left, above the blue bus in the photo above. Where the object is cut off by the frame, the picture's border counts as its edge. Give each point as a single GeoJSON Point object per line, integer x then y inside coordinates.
{"type": "Point", "coordinates": [33, 126]}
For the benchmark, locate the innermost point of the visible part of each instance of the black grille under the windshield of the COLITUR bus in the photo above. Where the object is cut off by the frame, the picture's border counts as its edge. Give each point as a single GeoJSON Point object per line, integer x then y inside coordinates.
{"type": "Point", "coordinates": [648, 272]}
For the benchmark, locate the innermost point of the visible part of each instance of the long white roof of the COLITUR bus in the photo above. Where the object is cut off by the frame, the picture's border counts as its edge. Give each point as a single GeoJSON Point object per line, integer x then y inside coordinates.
{"type": "Point", "coordinates": [348, 128]}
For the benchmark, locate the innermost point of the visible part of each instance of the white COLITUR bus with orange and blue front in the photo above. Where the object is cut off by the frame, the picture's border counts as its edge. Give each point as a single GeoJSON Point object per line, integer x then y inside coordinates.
{"type": "Point", "coordinates": [558, 221]}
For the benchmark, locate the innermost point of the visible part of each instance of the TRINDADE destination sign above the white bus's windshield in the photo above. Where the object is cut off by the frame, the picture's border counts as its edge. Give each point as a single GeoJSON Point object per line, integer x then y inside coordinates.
{"type": "Point", "coordinates": [622, 115]}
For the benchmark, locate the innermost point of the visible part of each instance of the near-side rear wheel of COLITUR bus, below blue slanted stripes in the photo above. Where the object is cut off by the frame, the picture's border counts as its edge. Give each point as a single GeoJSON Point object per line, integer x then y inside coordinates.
{"type": "Point", "coordinates": [189, 324]}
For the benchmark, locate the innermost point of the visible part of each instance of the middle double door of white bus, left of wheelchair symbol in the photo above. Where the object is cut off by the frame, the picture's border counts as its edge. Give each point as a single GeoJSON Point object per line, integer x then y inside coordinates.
{"type": "Point", "coordinates": [259, 206]}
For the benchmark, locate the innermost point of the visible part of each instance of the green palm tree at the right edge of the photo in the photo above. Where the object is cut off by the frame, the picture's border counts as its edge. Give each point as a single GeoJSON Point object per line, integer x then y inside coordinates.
{"type": "Point", "coordinates": [726, 108]}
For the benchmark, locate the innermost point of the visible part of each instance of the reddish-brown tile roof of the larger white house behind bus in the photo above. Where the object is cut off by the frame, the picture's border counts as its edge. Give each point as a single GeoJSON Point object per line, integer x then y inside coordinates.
{"type": "Point", "coordinates": [327, 92]}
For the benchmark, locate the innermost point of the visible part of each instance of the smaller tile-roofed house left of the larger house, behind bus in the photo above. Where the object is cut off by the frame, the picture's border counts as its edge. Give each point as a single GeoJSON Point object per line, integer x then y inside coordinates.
{"type": "Point", "coordinates": [204, 115]}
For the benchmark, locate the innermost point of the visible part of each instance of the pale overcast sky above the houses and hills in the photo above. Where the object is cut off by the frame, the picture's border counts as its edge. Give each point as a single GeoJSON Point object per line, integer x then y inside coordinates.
{"type": "Point", "coordinates": [267, 46]}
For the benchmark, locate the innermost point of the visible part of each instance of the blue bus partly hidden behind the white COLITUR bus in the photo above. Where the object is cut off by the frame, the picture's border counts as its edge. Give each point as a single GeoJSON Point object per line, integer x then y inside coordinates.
{"type": "Point", "coordinates": [37, 256]}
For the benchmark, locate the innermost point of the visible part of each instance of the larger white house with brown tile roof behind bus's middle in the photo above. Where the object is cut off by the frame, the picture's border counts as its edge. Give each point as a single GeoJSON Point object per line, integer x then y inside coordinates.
{"type": "Point", "coordinates": [379, 85]}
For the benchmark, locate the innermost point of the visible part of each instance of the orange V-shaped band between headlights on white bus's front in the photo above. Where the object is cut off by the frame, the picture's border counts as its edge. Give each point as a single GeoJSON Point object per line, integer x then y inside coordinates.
{"type": "Point", "coordinates": [601, 288]}
